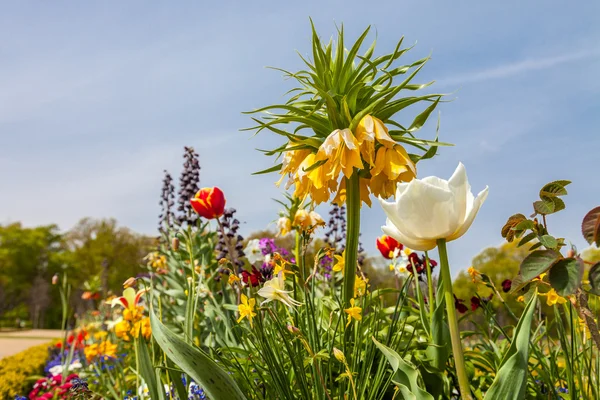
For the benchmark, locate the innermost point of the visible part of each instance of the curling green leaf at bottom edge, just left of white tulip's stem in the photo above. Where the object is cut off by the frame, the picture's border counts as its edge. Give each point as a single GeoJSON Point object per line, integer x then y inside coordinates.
{"type": "Point", "coordinates": [406, 376]}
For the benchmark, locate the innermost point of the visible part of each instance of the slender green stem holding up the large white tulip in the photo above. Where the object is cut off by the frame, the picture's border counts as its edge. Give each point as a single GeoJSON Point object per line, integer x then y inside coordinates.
{"type": "Point", "coordinates": [459, 360]}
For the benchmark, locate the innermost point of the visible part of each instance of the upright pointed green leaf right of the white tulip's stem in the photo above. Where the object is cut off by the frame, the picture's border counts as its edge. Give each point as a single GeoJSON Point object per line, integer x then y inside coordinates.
{"type": "Point", "coordinates": [511, 380]}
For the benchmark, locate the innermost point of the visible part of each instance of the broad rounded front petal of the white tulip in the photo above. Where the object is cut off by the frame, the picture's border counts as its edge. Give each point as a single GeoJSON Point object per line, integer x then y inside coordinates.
{"type": "Point", "coordinates": [425, 210]}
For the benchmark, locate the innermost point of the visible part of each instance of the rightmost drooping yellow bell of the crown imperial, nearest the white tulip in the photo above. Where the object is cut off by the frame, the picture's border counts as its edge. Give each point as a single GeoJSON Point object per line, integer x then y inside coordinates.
{"type": "Point", "coordinates": [392, 165]}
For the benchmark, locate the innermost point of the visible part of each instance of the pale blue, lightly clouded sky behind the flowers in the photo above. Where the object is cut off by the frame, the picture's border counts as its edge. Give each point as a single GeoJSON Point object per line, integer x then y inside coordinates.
{"type": "Point", "coordinates": [98, 98]}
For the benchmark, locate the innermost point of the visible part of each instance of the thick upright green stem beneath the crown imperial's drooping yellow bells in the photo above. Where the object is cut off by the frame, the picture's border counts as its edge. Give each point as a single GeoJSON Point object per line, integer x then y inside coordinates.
{"type": "Point", "coordinates": [352, 232]}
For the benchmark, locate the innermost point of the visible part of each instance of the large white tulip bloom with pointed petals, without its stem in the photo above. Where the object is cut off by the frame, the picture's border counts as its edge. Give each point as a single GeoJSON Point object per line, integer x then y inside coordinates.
{"type": "Point", "coordinates": [431, 208]}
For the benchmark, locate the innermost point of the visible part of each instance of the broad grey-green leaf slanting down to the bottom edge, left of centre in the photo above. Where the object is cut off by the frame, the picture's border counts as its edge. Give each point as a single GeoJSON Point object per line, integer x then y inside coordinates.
{"type": "Point", "coordinates": [217, 384]}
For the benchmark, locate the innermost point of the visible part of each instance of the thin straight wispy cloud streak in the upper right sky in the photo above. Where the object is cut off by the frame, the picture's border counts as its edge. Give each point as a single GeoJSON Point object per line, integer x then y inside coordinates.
{"type": "Point", "coordinates": [519, 67]}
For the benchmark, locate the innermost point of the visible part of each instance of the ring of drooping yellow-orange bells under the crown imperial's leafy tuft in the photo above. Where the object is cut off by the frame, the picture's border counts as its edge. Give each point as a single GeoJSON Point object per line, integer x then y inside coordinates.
{"type": "Point", "coordinates": [316, 174]}
